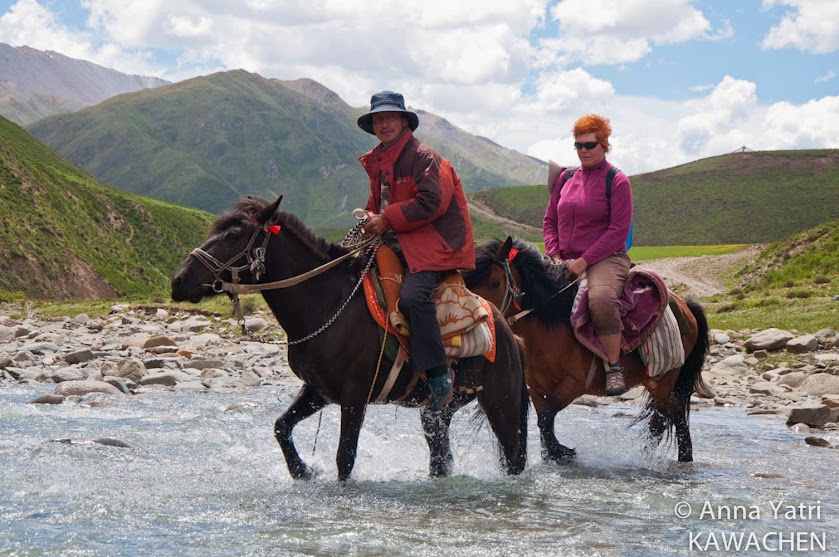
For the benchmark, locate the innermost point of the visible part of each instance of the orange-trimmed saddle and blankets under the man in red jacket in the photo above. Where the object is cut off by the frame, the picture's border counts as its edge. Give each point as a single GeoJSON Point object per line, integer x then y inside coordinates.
{"type": "Point", "coordinates": [466, 323]}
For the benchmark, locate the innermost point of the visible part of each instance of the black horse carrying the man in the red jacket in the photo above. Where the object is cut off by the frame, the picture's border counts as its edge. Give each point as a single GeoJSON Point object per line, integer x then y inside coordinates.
{"type": "Point", "coordinates": [334, 344]}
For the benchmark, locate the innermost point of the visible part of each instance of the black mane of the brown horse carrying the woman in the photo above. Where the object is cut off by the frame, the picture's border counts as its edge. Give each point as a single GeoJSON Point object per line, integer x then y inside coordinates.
{"type": "Point", "coordinates": [541, 280]}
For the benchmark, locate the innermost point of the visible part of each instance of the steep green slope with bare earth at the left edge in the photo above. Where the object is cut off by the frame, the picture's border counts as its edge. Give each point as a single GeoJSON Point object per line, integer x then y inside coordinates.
{"type": "Point", "coordinates": [66, 235]}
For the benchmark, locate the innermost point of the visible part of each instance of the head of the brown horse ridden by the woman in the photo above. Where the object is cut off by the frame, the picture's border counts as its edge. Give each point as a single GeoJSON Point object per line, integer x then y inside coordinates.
{"type": "Point", "coordinates": [494, 277]}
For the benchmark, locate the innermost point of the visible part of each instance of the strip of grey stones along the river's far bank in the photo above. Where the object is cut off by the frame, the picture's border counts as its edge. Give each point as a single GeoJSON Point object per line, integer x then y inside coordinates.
{"type": "Point", "coordinates": [134, 349]}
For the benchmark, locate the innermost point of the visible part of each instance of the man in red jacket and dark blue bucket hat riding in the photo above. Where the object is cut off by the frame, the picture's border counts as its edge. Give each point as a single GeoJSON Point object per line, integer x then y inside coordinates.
{"type": "Point", "coordinates": [417, 194]}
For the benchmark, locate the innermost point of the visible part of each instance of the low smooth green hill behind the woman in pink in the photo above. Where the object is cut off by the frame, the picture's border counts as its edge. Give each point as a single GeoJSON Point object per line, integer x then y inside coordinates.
{"type": "Point", "coordinates": [740, 198]}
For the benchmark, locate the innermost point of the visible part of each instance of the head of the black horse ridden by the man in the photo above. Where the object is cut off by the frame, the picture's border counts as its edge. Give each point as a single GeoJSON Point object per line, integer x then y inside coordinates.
{"type": "Point", "coordinates": [234, 251]}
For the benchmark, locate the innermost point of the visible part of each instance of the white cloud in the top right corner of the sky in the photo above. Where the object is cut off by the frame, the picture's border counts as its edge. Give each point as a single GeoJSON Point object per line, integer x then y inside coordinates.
{"type": "Point", "coordinates": [810, 25]}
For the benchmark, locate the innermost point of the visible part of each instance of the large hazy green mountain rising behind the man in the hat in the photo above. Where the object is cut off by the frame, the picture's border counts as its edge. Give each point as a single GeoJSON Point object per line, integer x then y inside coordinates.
{"type": "Point", "coordinates": [206, 141]}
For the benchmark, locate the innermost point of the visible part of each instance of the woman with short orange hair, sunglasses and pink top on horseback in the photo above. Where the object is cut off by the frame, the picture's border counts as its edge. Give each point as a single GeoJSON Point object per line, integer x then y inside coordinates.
{"type": "Point", "coordinates": [587, 231]}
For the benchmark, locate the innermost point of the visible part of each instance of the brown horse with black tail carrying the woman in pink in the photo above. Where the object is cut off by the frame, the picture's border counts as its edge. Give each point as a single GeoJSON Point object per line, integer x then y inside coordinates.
{"type": "Point", "coordinates": [558, 365]}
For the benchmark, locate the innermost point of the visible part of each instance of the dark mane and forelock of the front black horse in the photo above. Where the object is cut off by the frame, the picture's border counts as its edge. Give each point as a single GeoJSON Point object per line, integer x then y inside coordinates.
{"type": "Point", "coordinates": [242, 214]}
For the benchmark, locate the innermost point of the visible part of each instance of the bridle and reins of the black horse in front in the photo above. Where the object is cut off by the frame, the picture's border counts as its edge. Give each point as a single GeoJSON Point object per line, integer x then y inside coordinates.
{"type": "Point", "coordinates": [255, 263]}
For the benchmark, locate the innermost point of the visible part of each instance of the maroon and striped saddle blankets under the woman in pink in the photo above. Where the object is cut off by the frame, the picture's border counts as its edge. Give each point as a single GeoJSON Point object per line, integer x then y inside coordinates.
{"type": "Point", "coordinates": [653, 322]}
